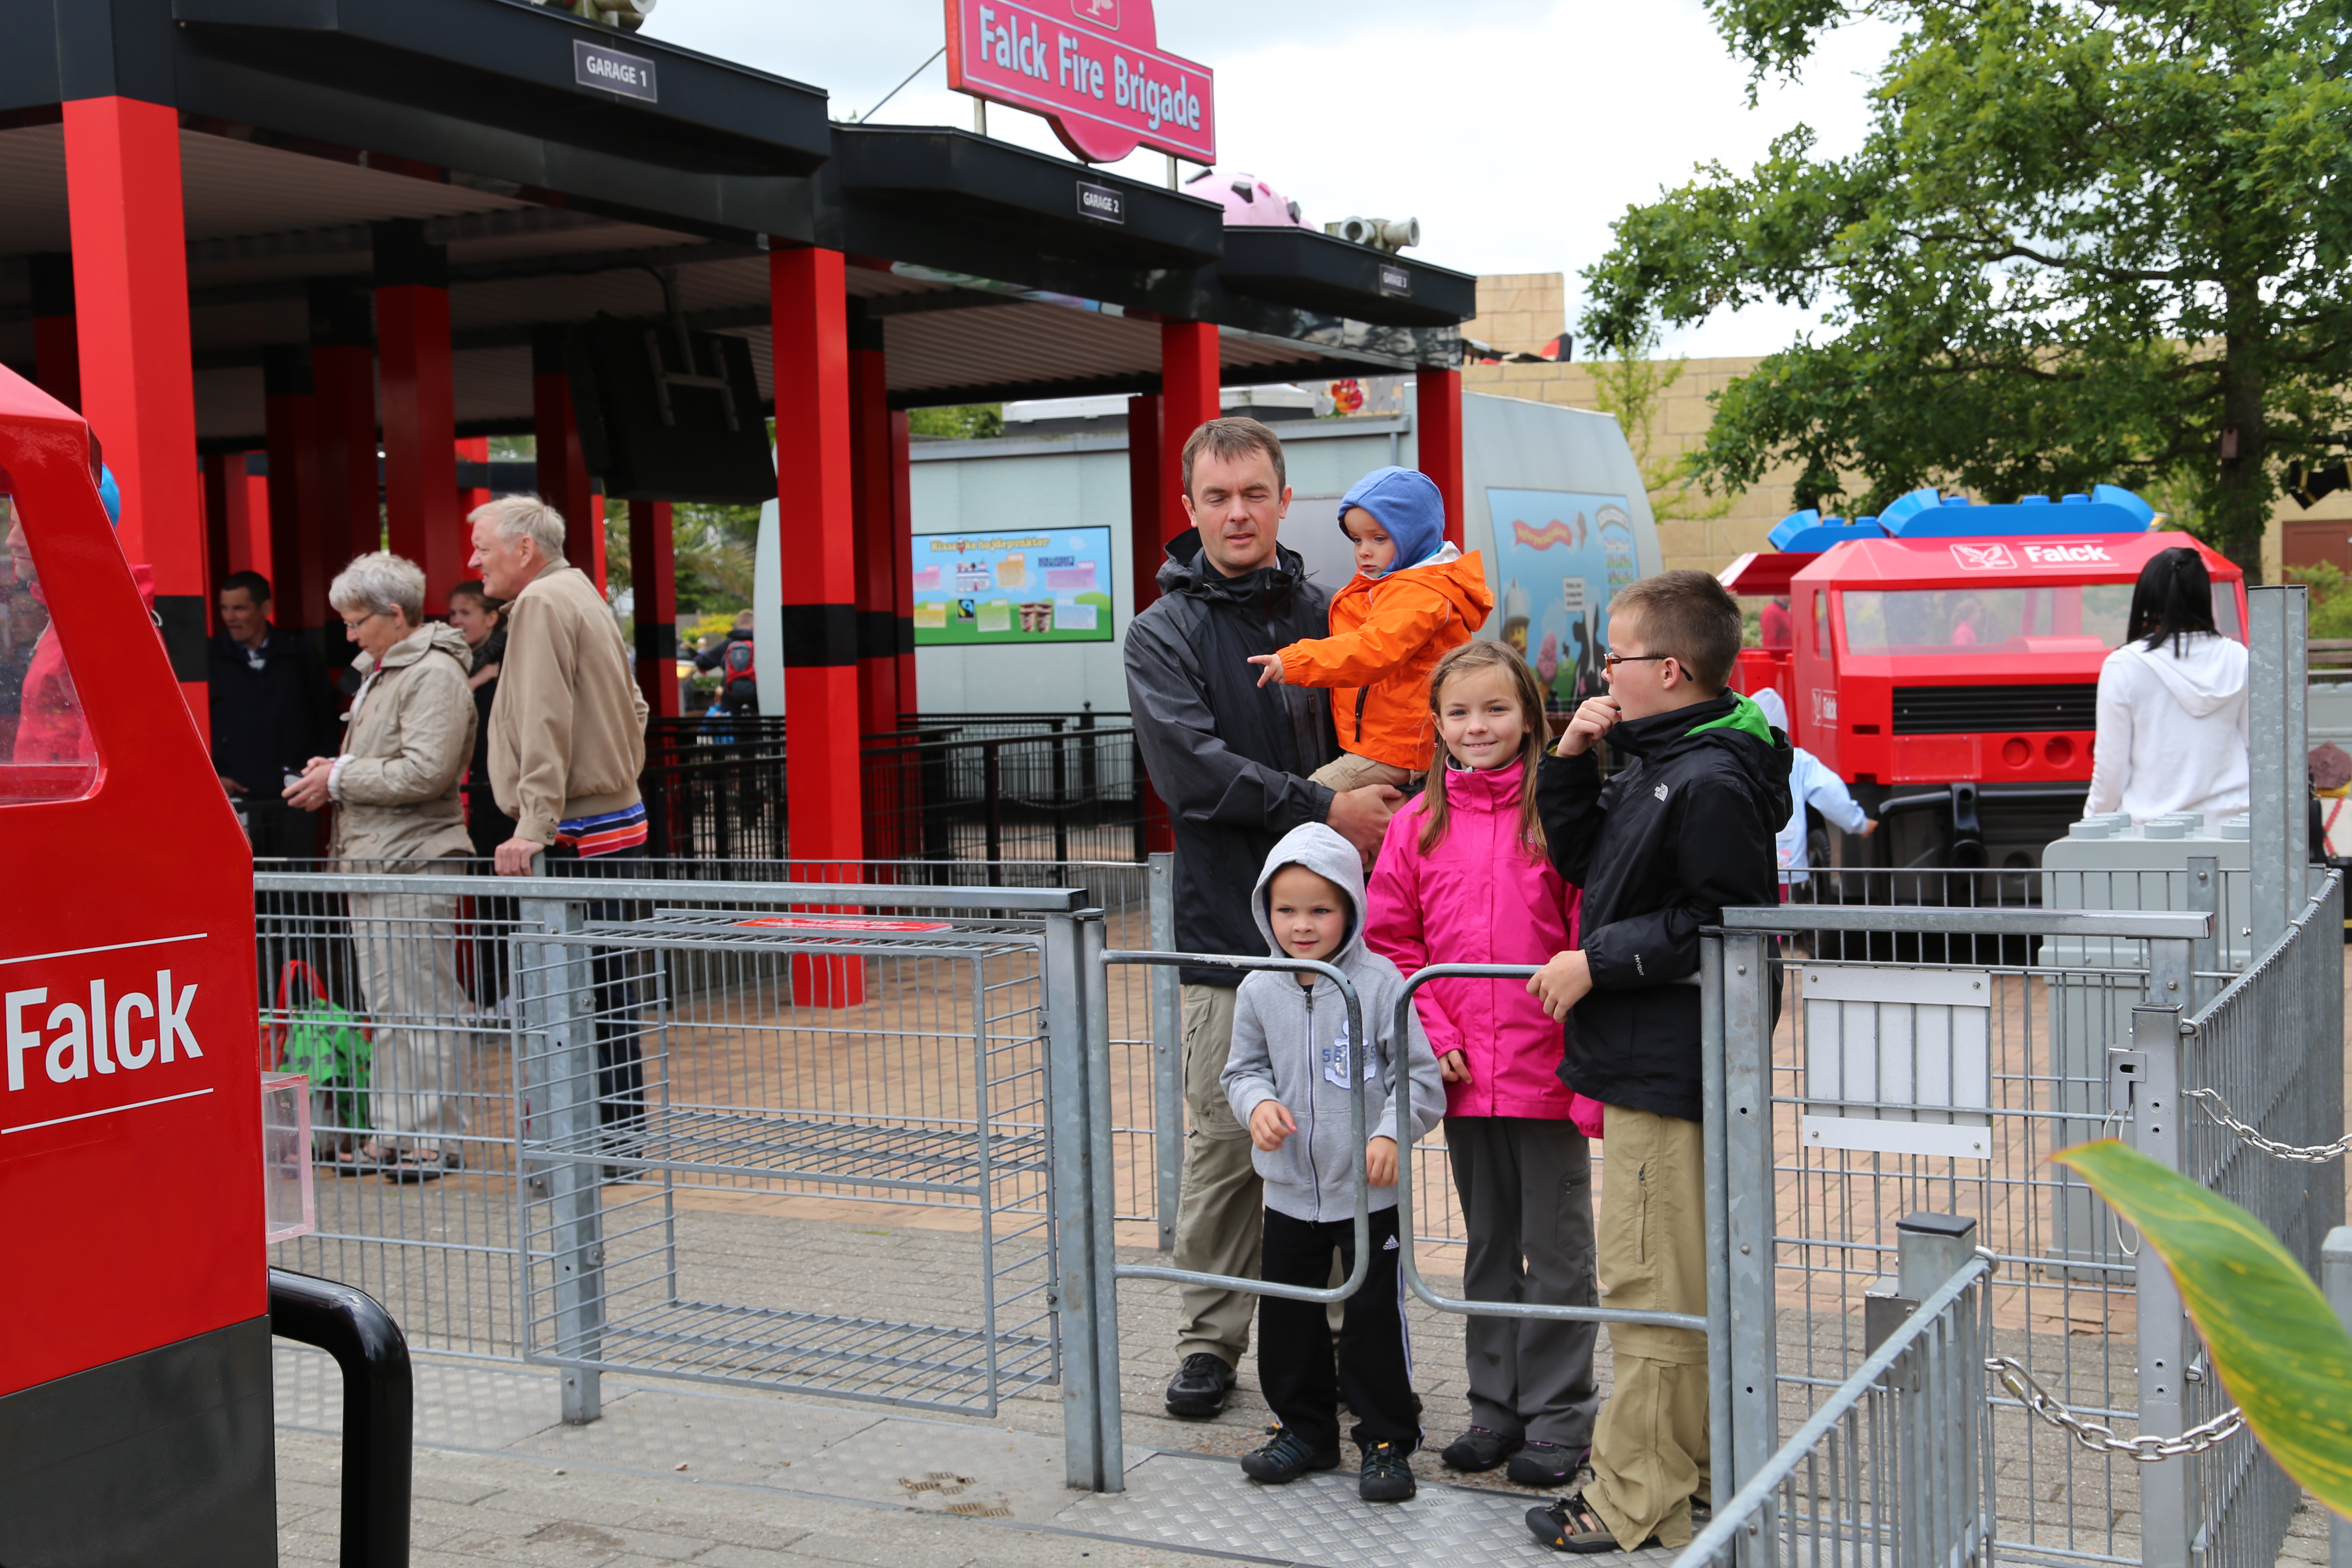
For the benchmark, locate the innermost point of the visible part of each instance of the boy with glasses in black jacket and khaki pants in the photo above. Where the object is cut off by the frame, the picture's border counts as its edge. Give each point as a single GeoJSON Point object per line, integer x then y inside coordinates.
{"type": "Point", "coordinates": [1683, 831]}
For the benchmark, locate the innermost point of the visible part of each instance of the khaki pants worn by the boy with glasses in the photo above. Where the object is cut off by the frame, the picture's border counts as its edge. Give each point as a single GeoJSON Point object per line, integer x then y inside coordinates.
{"type": "Point", "coordinates": [1650, 1447]}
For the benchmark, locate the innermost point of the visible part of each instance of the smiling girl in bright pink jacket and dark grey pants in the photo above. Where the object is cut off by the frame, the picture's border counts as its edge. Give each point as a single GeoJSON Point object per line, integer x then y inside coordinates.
{"type": "Point", "coordinates": [1464, 880]}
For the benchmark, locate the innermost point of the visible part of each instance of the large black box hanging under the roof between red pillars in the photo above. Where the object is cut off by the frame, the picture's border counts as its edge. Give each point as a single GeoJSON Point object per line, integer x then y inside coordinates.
{"type": "Point", "coordinates": [669, 415]}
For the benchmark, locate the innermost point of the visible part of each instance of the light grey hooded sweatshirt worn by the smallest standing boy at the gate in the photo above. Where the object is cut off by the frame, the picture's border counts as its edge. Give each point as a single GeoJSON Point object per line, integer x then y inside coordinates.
{"type": "Point", "coordinates": [1290, 1045]}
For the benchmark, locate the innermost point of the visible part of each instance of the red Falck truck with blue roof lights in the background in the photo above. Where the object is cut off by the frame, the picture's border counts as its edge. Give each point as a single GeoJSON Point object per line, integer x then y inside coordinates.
{"type": "Point", "coordinates": [1944, 662]}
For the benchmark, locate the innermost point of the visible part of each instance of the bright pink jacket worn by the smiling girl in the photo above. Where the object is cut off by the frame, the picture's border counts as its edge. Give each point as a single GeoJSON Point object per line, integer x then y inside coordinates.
{"type": "Point", "coordinates": [1478, 899]}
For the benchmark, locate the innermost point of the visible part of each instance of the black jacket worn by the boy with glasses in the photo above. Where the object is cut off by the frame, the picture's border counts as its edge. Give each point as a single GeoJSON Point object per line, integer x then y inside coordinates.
{"type": "Point", "coordinates": [1676, 838]}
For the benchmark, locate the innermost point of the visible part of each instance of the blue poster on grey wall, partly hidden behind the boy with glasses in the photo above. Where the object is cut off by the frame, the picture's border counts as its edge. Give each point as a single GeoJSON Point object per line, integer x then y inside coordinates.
{"type": "Point", "coordinates": [1561, 558]}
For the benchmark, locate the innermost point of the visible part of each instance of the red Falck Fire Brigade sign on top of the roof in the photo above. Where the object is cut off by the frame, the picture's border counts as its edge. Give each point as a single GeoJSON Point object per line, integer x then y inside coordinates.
{"type": "Point", "coordinates": [1093, 69]}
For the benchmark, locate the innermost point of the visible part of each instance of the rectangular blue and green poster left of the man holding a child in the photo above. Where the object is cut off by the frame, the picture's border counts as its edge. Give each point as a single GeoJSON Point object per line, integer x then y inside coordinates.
{"type": "Point", "coordinates": [1045, 587]}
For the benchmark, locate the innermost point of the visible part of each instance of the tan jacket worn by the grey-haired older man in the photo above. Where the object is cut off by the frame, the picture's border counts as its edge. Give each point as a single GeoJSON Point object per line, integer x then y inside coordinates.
{"type": "Point", "coordinates": [568, 730]}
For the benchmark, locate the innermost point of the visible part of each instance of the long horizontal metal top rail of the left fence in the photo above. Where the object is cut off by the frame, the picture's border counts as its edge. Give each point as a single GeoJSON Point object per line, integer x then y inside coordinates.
{"type": "Point", "coordinates": [629, 890]}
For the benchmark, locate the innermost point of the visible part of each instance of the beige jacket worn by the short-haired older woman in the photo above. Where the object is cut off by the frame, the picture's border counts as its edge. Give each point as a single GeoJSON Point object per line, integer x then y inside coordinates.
{"type": "Point", "coordinates": [406, 753]}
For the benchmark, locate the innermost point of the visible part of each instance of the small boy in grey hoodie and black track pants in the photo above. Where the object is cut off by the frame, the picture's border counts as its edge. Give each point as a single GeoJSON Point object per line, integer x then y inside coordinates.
{"type": "Point", "coordinates": [1288, 1078]}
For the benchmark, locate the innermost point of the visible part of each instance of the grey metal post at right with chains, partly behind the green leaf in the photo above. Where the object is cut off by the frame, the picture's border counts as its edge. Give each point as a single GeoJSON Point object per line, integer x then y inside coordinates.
{"type": "Point", "coordinates": [2167, 1492]}
